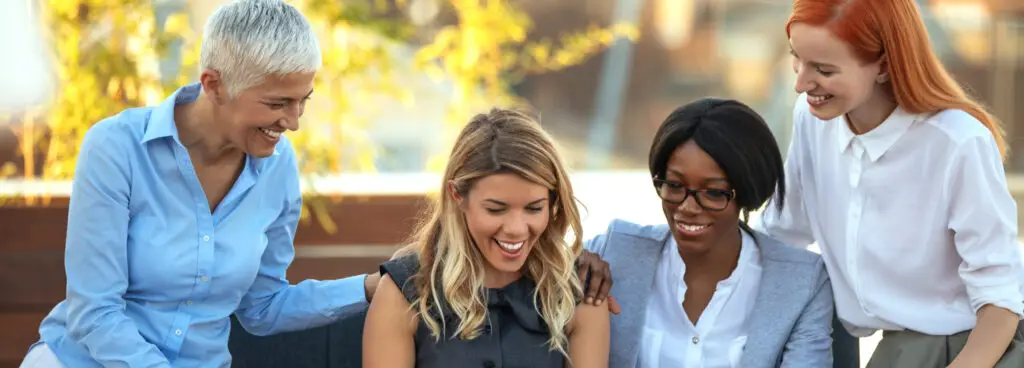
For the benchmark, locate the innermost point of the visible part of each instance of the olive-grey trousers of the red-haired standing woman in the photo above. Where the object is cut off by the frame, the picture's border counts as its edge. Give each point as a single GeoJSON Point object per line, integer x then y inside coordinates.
{"type": "Point", "coordinates": [916, 350]}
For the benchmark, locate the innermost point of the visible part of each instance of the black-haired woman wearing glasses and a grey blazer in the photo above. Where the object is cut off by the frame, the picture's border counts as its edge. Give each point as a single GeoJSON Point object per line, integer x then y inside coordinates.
{"type": "Point", "coordinates": [704, 290]}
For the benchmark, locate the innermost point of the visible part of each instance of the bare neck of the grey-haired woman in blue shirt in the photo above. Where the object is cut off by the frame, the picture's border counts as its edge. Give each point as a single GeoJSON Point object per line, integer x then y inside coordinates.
{"type": "Point", "coordinates": [201, 135]}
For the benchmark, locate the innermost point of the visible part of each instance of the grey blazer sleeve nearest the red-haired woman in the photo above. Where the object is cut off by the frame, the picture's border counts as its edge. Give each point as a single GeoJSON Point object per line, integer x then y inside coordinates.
{"type": "Point", "coordinates": [810, 343]}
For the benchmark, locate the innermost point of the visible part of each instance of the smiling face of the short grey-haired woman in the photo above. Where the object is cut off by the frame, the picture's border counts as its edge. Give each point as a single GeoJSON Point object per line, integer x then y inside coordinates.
{"type": "Point", "coordinates": [254, 119]}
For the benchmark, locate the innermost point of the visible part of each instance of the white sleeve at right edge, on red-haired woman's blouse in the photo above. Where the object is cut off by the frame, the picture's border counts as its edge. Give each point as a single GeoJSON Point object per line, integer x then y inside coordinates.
{"type": "Point", "coordinates": [984, 218]}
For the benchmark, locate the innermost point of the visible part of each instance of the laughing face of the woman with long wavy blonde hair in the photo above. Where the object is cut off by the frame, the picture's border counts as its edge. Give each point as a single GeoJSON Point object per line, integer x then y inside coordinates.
{"type": "Point", "coordinates": [506, 215]}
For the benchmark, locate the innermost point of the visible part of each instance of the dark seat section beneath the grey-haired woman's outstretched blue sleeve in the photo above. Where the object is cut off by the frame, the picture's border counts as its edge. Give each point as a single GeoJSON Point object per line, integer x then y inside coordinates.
{"type": "Point", "coordinates": [335, 346]}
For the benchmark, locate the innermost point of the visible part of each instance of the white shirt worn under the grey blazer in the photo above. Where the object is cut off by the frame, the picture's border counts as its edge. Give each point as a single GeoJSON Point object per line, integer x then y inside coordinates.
{"type": "Point", "coordinates": [671, 341]}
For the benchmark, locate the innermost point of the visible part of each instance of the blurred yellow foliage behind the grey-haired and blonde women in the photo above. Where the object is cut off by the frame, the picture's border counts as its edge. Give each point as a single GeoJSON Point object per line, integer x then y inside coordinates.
{"type": "Point", "coordinates": [108, 52]}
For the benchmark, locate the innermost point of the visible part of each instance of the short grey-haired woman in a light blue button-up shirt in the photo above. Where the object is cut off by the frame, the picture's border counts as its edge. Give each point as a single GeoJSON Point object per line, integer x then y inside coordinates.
{"type": "Point", "coordinates": [185, 214]}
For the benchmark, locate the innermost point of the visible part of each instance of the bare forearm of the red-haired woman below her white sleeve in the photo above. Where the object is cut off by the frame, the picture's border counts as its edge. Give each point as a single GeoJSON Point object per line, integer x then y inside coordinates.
{"type": "Point", "coordinates": [990, 340]}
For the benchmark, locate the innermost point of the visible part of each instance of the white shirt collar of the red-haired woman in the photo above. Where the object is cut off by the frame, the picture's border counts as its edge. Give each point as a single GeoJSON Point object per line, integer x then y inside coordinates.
{"type": "Point", "coordinates": [880, 140]}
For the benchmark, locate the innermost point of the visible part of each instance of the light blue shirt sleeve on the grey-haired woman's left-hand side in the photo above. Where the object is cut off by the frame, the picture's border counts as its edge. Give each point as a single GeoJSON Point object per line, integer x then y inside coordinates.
{"type": "Point", "coordinates": [97, 257]}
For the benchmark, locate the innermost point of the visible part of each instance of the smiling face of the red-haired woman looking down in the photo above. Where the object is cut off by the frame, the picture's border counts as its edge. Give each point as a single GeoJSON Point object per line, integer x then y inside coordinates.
{"type": "Point", "coordinates": [835, 80]}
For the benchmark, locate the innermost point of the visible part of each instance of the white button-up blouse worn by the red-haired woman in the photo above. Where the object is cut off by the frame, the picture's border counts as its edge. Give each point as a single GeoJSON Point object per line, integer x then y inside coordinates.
{"type": "Point", "coordinates": [914, 219]}
